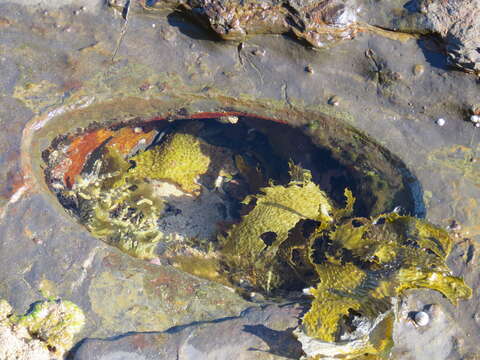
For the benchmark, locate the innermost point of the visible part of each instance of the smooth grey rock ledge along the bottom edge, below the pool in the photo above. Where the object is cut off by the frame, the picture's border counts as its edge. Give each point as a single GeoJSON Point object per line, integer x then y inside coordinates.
{"type": "Point", "coordinates": [259, 333]}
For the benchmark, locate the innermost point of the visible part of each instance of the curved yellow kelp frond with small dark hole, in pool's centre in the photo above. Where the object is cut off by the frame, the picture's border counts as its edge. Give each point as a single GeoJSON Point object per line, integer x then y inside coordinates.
{"type": "Point", "coordinates": [251, 247]}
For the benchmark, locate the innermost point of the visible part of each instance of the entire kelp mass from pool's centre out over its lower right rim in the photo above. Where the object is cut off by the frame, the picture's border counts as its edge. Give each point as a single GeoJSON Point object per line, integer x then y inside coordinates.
{"type": "Point", "coordinates": [361, 265]}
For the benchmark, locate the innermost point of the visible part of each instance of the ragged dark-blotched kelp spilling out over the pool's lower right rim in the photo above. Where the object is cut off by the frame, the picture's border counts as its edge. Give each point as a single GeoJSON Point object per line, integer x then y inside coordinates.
{"type": "Point", "coordinates": [368, 263]}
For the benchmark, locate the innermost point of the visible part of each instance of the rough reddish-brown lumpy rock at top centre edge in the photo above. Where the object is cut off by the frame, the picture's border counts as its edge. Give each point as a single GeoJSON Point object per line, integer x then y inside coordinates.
{"type": "Point", "coordinates": [320, 23]}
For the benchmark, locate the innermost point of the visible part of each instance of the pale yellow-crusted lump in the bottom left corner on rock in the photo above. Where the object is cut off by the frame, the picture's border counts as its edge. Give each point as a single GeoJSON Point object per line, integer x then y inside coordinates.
{"type": "Point", "coordinates": [45, 332]}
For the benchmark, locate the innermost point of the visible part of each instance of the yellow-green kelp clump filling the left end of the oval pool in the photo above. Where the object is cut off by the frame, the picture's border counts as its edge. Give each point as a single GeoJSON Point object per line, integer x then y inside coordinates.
{"type": "Point", "coordinates": [117, 197]}
